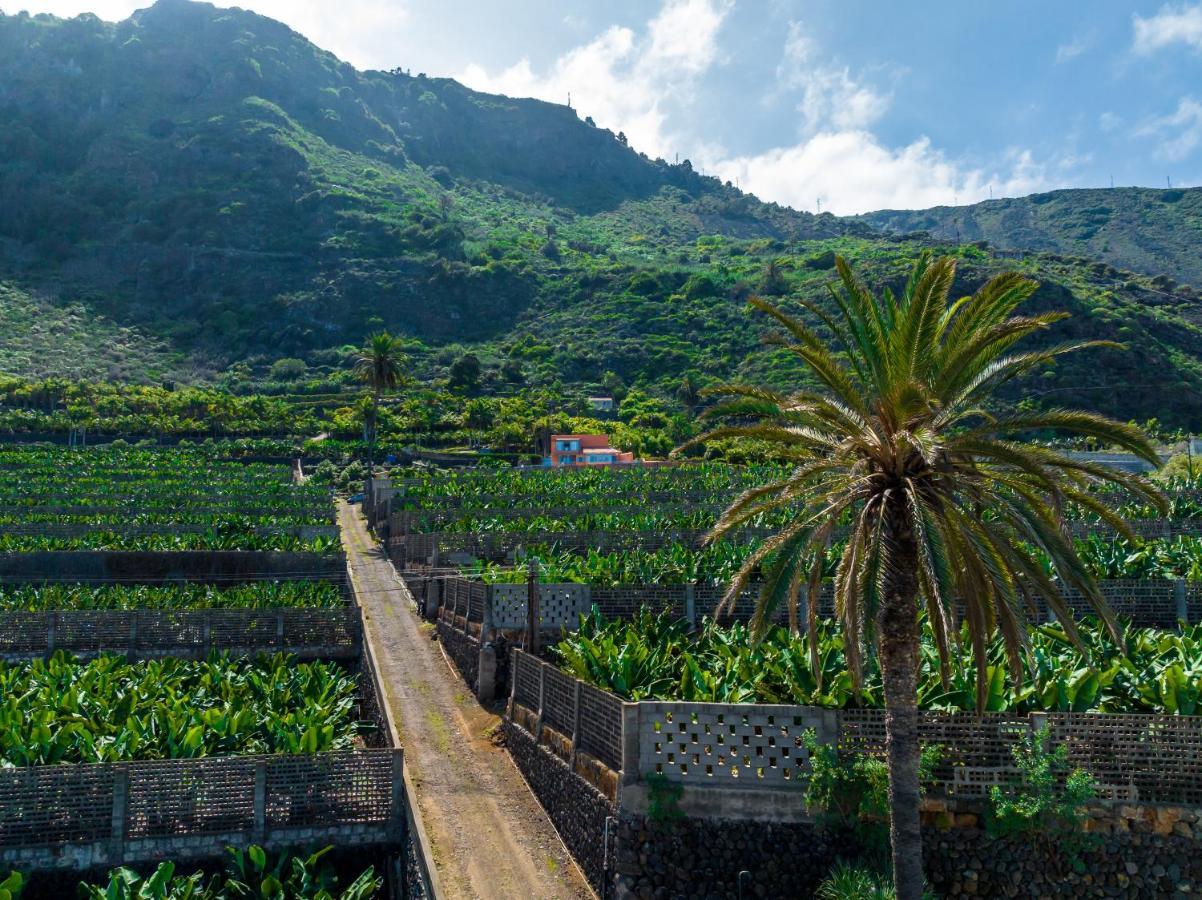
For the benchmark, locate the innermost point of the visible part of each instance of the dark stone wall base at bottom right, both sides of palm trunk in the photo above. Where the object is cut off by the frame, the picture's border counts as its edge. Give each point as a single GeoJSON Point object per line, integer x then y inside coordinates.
{"type": "Point", "coordinates": [704, 859]}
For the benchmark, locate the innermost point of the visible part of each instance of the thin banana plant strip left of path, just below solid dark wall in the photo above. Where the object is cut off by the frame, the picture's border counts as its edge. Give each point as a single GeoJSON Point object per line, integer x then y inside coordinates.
{"type": "Point", "coordinates": [252, 595]}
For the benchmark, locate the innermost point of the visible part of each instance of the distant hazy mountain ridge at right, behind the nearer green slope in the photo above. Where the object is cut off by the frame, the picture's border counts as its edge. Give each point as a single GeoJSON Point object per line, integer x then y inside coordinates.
{"type": "Point", "coordinates": [1157, 233]}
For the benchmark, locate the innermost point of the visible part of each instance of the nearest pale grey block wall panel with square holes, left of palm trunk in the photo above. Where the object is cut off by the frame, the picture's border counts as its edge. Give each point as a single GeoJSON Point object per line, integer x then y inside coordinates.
{"type": "Point", "coordinates": [730, 746]}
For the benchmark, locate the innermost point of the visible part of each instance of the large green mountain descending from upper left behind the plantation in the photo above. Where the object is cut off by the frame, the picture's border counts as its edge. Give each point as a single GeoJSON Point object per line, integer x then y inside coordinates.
{"type": "Point", "coordinates": [197, 189]}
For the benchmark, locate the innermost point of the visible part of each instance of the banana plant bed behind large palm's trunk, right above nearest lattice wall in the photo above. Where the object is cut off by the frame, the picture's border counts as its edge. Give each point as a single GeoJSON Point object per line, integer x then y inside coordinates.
{"type": "Point", "coordinates": [656, 658]}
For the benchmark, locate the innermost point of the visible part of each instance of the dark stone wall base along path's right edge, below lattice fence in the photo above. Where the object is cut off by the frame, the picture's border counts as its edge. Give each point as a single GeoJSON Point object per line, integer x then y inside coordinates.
{"type": "Point", "coordinates": [578, 809]}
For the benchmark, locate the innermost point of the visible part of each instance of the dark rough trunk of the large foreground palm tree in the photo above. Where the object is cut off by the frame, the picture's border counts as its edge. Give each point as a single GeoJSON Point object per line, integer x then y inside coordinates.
{"type": "Point", "coordinates": [897, 636]}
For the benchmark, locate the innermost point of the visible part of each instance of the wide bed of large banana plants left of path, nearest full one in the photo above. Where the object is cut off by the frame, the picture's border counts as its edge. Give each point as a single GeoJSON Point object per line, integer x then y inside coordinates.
{"type": "Point", "coordinates": [64, 711]}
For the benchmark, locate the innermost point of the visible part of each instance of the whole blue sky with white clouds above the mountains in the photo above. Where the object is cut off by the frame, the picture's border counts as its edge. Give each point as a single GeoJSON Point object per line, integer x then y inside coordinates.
{"type": "Point", "coordinates": [836, 105]}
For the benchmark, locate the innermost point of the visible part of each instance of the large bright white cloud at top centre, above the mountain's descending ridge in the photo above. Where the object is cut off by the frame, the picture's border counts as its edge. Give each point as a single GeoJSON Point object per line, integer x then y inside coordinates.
{"type": "Point", "coordinates": [626, 81]}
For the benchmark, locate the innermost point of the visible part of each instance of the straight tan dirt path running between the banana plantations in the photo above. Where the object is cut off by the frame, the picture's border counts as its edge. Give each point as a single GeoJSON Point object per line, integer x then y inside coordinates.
{"type": "Point", "coordinates": [487, 836]}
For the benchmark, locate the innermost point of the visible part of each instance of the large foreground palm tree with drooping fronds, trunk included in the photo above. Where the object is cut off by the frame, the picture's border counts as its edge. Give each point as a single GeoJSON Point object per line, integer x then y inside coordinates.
{"type": "Point", "coordinates": [943, 499]}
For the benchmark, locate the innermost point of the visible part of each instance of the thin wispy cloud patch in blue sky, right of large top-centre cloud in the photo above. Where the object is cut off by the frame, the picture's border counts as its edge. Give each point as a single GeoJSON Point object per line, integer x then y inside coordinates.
{"type": "Point", "coordinates": [830, 97]}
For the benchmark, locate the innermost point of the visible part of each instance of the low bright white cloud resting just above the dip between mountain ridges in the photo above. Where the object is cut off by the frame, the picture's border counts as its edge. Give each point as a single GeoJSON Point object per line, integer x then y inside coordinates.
{"type": "Point", "coordinates": [854, 172]}
